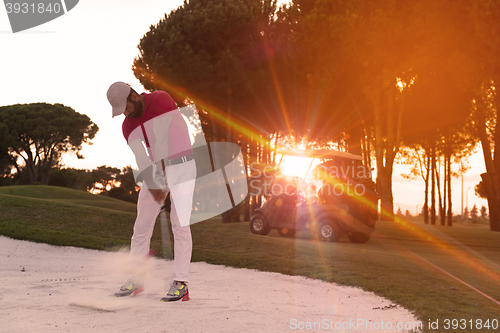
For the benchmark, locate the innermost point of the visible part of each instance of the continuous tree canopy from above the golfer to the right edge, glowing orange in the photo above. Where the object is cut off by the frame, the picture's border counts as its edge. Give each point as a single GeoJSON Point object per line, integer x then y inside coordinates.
{"type": "Point", "coordinates": [376, 74]}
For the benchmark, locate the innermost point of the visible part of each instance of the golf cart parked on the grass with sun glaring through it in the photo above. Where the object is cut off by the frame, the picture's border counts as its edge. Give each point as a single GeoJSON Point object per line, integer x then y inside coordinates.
{"type": "Point", "coordinates": [345, 204]}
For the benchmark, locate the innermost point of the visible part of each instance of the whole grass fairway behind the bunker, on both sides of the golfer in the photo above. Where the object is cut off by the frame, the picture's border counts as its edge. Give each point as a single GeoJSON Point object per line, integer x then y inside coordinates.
{"type": "Point", "coordinates": [435, 271]}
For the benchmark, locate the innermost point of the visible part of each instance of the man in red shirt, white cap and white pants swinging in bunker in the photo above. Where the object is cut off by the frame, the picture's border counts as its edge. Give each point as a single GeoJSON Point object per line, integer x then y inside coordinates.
{"type": "Point", "coordinates": [159, 138]}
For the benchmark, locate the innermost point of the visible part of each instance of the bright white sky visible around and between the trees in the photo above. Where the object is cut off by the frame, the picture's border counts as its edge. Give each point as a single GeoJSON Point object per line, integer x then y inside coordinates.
{"type": "Point", "coordinates": [73, 59]}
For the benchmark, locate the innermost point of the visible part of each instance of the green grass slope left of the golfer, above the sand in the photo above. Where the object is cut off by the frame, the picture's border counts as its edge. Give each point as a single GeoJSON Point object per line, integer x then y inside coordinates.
{"type": "Point", "coordinates": [57, 222]}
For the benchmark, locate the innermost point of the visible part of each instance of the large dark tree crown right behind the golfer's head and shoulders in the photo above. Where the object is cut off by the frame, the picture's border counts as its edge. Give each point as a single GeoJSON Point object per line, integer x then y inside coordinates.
{"type": "Point", "coordinates": [213, 53]}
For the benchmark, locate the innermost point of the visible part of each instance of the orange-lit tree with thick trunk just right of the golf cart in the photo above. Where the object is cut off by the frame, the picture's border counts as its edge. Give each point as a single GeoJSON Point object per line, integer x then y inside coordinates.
{"type": "Point", "coordinates": [381, 48]}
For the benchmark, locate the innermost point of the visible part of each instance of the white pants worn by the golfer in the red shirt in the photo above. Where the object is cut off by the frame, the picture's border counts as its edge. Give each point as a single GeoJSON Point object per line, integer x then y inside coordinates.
{"type": "Point", "coordinates": [180, 180]}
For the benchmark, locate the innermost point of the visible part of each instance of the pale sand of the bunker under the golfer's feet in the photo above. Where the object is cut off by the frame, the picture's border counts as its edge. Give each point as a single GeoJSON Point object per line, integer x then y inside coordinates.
{"type": "Point", "coordinates": [47, 288]}
